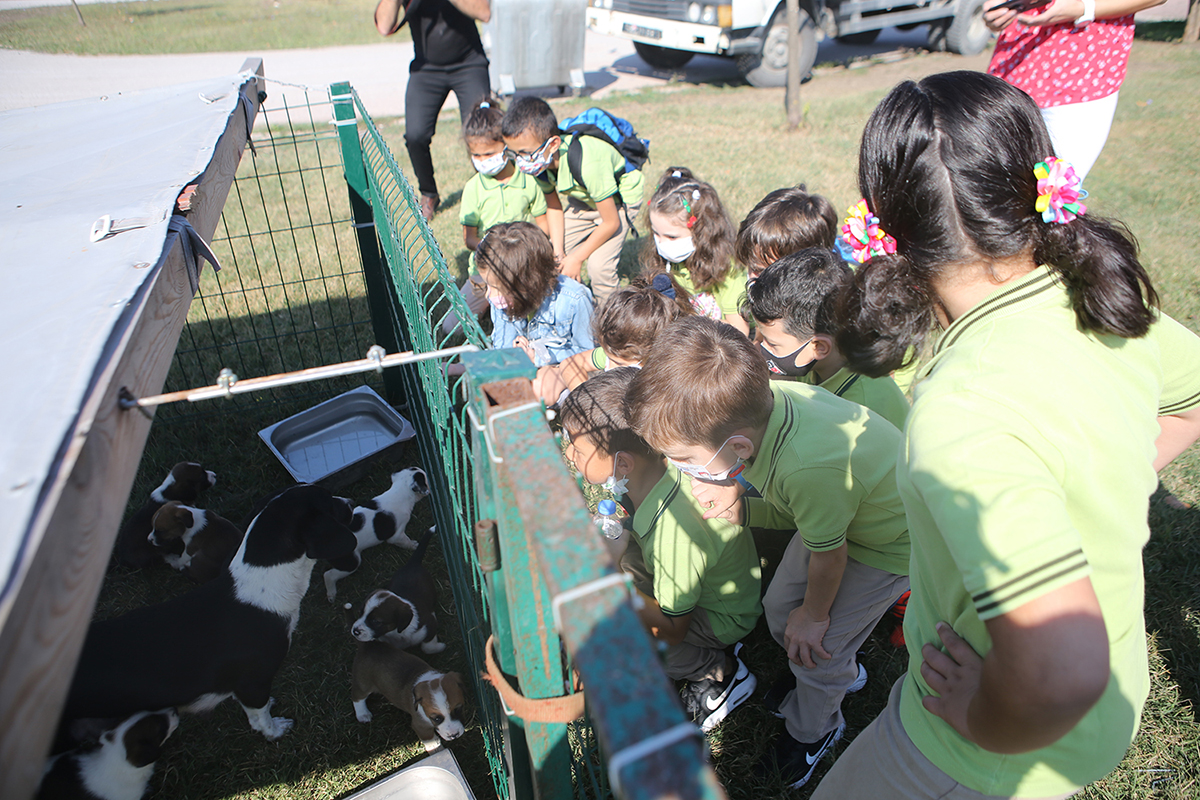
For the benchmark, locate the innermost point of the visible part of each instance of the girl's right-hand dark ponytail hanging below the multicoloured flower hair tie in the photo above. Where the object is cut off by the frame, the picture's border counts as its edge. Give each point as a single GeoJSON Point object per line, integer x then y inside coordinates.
{"type": "Point", "coordinates": [1097, 261]}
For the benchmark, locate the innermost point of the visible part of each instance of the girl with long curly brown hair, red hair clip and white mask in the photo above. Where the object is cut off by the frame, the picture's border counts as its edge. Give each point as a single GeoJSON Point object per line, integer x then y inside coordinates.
{"type": "Point", "coordinates": [694, 245]}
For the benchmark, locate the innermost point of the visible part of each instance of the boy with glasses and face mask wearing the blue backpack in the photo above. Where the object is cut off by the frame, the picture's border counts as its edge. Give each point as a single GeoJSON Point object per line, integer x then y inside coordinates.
{"type": "Point", "coordinates": [599, 209]}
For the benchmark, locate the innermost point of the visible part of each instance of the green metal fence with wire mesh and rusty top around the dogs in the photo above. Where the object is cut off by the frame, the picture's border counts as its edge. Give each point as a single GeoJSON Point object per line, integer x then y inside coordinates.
{"type": "Point", "coordinates": [326, 255]}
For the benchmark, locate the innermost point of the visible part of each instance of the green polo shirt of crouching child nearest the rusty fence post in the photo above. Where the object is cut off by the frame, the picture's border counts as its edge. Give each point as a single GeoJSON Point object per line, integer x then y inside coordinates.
{"type": "Point", "coordinates": [698, 563]}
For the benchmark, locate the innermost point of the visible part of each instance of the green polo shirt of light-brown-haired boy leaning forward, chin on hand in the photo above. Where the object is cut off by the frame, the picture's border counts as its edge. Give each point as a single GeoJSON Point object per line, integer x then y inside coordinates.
{"type": "Point", "coordinates": [826, 468]}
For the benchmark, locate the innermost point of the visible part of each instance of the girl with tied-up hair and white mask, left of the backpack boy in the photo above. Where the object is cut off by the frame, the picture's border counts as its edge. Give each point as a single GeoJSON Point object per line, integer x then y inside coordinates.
{"type": "Point", "coordinates": [499, 193]}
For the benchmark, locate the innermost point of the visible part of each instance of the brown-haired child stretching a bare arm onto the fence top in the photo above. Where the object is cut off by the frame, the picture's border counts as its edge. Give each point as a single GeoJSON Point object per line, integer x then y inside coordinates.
{"type": "Point", "coordinates": [625, 327]}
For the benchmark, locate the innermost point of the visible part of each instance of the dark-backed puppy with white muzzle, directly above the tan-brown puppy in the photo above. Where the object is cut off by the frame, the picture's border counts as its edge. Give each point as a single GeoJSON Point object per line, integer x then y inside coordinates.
{"type": "Point", "coordinates": [404, 615]}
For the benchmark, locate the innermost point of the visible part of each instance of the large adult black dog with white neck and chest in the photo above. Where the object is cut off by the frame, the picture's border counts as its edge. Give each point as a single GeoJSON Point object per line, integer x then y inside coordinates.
{"type": "Point", "coordinates": [227, 637]}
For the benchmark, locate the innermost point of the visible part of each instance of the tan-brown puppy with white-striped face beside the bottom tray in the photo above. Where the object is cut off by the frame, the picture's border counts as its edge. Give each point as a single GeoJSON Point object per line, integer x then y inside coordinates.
{"type": "Point", "coordinates": [434, 700]}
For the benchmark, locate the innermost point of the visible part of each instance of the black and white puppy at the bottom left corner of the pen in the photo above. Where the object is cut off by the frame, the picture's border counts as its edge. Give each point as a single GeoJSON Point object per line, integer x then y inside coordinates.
{"type": "Point", "coordinates": [117, 767]}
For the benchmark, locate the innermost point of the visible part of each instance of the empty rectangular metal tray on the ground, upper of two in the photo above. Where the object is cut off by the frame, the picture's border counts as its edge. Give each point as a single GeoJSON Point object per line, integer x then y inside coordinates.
{"type": "Point", "coordinates": [329, 442]}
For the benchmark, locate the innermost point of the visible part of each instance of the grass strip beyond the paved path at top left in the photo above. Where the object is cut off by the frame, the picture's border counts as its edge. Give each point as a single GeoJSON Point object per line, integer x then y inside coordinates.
{"type": "Point", "coordinates": [155, 27]}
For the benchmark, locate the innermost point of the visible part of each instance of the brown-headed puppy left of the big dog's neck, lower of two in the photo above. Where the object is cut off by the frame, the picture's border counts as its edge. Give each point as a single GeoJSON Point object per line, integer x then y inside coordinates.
{"type": "Point", "coordinates": [209, 540]}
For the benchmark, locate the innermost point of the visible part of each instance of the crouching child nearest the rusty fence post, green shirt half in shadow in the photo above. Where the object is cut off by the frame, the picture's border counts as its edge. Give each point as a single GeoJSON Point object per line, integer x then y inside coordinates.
{"type": "Point", "coordinates": [699, 580]}
